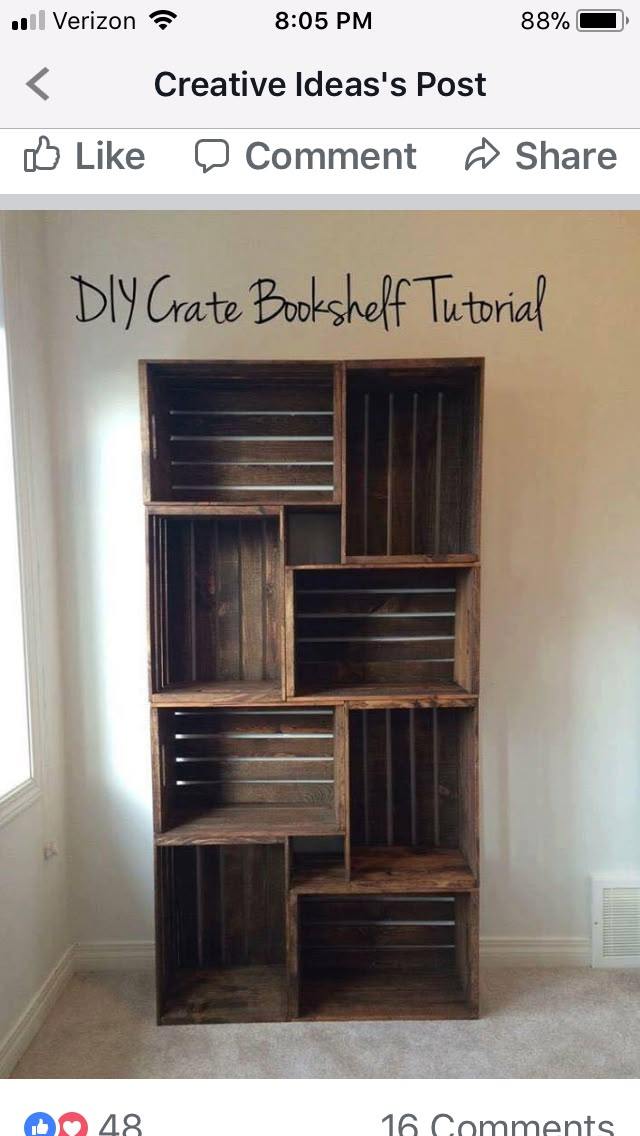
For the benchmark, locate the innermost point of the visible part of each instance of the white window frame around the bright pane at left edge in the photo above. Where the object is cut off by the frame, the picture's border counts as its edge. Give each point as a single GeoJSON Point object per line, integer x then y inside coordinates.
{"type": "Point", "coordinates": [26, 795]}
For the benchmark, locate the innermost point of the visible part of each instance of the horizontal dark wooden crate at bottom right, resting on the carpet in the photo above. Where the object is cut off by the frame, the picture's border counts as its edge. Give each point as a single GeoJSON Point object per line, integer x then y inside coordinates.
{"type": "Point", "coordinates": [387, 957]}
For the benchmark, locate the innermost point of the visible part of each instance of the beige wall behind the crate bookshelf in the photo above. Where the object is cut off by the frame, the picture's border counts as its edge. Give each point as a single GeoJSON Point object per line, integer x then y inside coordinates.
{"type": "Point", "coordinates": [561, 649]}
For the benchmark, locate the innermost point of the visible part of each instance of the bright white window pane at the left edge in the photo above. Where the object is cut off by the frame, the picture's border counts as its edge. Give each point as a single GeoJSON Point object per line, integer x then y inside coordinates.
{"type": "Point", "coordinates": [16, 772]}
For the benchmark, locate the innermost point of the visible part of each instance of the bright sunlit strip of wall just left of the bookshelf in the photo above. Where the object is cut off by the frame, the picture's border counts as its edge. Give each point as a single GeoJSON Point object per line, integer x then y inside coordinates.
{"type": "Point", "coordinates": [106, 671]}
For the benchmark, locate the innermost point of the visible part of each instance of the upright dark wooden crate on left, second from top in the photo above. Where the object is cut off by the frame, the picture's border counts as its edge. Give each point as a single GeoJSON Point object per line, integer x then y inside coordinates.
{"type": "Point", "coordinates": [215, 607]}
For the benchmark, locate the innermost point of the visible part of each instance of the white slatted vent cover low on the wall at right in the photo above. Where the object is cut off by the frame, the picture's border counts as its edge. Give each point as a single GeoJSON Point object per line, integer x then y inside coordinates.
{"type": "Point", "coordinates": [616, 933]}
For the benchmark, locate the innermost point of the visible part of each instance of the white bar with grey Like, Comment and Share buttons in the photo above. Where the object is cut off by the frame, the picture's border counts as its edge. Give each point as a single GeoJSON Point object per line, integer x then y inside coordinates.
{"type": "Point", "coordinates": [250, 162]}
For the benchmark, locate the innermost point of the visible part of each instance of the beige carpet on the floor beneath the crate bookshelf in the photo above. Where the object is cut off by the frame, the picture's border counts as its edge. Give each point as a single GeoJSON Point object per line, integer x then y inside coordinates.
{"type": "Point", "coordinates": [563, 1023]}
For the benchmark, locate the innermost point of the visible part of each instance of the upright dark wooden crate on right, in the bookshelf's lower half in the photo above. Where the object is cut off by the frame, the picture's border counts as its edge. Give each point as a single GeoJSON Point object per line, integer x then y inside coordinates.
{"type": "Point", "coordinates": [413, 791]}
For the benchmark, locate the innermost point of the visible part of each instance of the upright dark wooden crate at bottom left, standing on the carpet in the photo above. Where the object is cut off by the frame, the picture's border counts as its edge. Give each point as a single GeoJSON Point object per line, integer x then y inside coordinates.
{"type": "Point", "coordinates": [221, 934]}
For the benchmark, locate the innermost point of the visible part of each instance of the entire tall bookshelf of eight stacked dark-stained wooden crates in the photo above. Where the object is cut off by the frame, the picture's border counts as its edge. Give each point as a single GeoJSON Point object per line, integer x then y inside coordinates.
{"type": "Point", "coordinates": [314, 581]}
